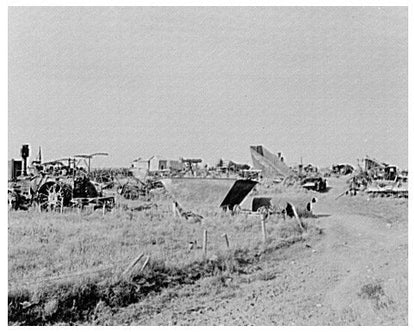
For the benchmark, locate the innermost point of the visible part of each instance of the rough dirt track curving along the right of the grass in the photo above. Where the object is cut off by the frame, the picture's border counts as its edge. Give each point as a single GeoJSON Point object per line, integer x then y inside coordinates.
{"type": "Point", "coordinates": [355, 274]}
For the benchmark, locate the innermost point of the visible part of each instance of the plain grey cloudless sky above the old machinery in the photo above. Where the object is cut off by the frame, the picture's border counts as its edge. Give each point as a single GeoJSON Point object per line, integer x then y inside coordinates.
{"type": "Point", "coordinates": [325, 84]}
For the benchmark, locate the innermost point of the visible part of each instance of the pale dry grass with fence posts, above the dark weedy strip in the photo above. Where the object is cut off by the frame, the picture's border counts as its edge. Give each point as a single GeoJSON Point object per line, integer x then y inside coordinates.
{"type": "Point", "coordinates": [46, 245]}
